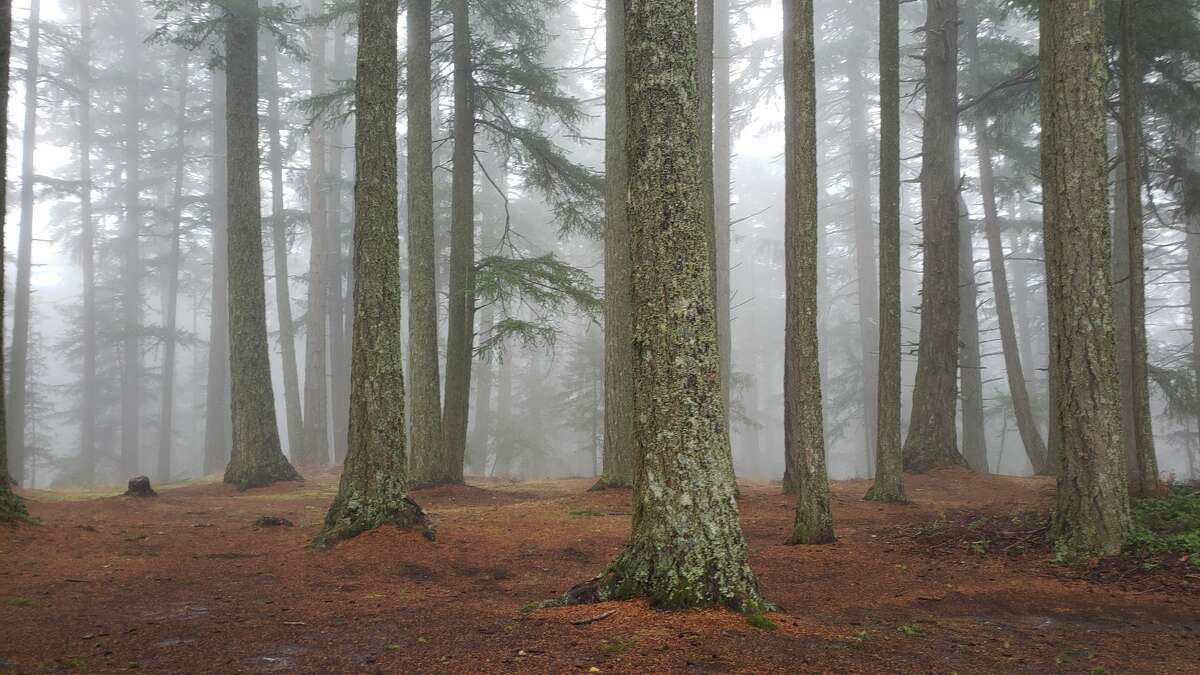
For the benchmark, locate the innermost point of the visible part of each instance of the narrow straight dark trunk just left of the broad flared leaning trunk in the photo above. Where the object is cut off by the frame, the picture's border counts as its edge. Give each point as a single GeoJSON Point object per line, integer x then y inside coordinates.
{"type": "Point", "coordinates": [890, 461]}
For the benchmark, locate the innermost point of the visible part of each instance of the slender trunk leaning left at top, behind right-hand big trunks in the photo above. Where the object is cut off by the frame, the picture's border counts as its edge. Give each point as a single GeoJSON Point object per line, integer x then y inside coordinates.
{"type": "Point", "coordinates": [1013, 371]}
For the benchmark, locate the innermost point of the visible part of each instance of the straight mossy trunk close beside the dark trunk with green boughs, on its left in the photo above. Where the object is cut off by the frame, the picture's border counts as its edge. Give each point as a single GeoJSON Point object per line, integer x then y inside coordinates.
{"type": "Point", "coordinates": [423, 300]}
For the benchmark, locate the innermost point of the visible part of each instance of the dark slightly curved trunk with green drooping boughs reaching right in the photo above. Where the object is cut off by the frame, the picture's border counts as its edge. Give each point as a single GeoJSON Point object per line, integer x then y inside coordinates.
{"type": "Point", "coordinates": [460, 332]}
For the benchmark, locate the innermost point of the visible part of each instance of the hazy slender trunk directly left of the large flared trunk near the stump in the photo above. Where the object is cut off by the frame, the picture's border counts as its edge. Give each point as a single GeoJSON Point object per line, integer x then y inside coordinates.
{"type": "Point", "coordinates": [218, 416]}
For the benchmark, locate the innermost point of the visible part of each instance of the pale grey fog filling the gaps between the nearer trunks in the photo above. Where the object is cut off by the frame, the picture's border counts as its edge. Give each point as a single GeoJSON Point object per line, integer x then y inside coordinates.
{"type": "Point", "coordinates": [117, 334]}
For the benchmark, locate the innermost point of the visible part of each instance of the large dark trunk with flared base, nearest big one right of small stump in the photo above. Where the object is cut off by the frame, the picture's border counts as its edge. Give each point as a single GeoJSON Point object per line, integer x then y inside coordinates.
{"type": "Point", "coordinates": [256, 459]}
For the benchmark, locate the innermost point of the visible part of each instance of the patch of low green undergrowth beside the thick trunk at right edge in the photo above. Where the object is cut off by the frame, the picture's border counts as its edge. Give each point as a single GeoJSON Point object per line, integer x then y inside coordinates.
{"type": "Point", "coordinates": [1169, 524]}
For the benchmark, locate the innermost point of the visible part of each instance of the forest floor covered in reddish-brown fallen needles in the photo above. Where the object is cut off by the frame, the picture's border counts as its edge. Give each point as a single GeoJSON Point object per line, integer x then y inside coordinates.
{"type": "Point", "coordinates": [185, 583]}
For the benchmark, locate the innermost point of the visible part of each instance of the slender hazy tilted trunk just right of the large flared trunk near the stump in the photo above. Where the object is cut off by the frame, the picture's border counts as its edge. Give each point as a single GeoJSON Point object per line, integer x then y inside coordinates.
{"type": "Point", "coordinates": [280, 255]}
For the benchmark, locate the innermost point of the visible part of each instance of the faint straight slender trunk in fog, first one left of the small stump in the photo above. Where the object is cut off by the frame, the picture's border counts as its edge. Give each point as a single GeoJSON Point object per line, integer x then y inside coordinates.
{"type": "Point", "coordinates": [87, 254]}
